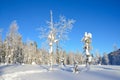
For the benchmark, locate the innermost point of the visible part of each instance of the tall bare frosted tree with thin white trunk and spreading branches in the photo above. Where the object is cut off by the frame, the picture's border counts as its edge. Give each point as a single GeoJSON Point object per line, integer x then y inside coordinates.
{"type": "Point", "coordinates": [56, 32]}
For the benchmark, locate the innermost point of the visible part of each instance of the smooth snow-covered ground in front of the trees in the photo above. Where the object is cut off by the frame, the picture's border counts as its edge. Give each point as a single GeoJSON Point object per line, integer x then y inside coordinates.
{"type": "Point", "coordinates": [38, 72]}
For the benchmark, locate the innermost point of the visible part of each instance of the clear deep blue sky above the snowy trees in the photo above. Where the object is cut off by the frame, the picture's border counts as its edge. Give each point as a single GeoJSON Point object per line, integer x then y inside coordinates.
{"type": "Point", "coordinates": [100, 17]}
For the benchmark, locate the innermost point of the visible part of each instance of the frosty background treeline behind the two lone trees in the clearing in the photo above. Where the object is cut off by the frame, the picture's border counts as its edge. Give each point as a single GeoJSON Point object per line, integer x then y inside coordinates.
{"type": "Point", "coordinates": [13, 51]}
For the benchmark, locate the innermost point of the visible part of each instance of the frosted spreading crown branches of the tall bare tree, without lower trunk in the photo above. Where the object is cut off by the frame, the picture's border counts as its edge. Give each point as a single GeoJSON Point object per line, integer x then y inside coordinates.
{"type": "Point", "coordinates": [60, 29]}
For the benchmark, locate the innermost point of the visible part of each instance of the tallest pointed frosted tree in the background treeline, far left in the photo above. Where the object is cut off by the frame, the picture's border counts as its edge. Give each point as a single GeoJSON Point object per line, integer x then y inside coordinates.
{"type": "Point", "coordinates": [13, 44]}
